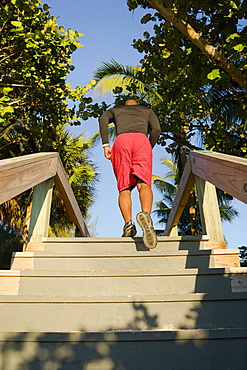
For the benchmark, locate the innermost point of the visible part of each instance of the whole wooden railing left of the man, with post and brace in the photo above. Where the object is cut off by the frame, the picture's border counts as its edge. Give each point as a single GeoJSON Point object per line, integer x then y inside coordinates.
{"type": "Point", "coordinates": [40, 171]}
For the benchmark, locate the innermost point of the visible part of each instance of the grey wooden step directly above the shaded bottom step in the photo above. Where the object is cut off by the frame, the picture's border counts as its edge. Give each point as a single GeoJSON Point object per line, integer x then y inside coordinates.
{"type": "Point", "coordinates": [102, 313]}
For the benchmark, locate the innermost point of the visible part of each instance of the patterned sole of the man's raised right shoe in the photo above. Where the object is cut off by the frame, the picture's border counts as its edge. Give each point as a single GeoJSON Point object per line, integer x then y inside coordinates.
{"type": "Point", "coordinates": [149, 237]}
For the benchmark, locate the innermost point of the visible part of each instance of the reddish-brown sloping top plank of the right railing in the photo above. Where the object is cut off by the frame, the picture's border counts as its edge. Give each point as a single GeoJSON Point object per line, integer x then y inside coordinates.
{"type": "Point", "coordinates": [228, 173]}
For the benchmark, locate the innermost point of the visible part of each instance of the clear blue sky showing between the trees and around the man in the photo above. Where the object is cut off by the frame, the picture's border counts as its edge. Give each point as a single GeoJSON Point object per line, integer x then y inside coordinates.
{"type": "Point", "coordinates": [109, 29]}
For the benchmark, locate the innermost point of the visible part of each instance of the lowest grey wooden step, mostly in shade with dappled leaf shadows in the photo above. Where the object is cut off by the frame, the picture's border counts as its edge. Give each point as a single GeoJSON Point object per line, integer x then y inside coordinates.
{"type": "Point", "coordinates": [139, 350]}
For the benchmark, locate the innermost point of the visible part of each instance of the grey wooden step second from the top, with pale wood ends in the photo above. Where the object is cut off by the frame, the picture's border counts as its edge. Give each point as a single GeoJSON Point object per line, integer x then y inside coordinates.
{"type": "Point", "coordinates": [88, 261]}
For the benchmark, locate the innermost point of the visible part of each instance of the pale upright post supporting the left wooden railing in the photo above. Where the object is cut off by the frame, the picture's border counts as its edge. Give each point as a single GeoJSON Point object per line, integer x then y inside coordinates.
{"type": "Point", "coordinates": [41, 209]}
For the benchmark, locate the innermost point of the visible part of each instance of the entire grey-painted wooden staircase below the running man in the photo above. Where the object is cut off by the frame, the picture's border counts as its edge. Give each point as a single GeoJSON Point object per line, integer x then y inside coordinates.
{"type": "Point", "coordinates": [110, 303]}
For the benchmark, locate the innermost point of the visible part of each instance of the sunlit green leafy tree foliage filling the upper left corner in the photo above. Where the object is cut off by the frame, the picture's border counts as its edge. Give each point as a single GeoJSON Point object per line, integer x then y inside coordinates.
{"type": "Point", "coordinates": [35, 59]}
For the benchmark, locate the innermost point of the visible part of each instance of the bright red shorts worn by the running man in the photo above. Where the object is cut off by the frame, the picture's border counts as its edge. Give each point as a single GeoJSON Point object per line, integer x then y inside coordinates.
{"type": "Point", "coordinates": [131, 157]}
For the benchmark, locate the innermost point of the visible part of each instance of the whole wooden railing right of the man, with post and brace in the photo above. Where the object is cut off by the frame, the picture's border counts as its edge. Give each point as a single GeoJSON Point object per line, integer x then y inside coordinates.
{"type": "Point", "coordinates": [209, 170]}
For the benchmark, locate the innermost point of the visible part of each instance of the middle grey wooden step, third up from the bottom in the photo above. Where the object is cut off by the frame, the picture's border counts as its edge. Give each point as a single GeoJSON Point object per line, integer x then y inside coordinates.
{"type": "Point", "coordinates": [124, 282]}
